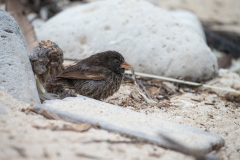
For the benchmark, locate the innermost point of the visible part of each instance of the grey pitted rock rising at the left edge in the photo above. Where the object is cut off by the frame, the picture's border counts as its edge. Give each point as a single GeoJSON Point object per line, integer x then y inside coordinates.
{"type": "Point", "coordinates": [16, 75]}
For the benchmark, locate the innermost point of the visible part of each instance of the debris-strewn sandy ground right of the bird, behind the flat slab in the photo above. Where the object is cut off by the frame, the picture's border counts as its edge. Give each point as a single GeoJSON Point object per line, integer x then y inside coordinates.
{"type": "Point", "coordinates": [202, 109]}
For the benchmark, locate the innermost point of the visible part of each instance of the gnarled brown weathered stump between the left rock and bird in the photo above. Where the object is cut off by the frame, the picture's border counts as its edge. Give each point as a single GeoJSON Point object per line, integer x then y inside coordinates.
{"type": "Point", "coordinates": [47, 63]}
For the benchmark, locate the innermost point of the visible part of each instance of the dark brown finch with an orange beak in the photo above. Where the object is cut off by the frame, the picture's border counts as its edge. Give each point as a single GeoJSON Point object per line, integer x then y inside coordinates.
{"type": "Point", "coordinates": [98, 76]}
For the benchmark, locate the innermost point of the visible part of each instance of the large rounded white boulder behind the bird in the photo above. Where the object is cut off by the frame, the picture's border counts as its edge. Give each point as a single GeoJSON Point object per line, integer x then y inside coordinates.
{"type": "Point", "coordinates": [151, 39]}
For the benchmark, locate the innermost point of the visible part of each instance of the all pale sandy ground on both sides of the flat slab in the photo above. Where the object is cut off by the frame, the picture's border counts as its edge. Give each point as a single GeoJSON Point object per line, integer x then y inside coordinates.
{"type": "Point", "coordinates": [27, 135]}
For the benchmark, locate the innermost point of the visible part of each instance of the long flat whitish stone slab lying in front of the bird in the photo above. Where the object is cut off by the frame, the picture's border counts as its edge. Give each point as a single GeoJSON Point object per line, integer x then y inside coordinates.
{"type": "Point", "coordinates": [126, 121]}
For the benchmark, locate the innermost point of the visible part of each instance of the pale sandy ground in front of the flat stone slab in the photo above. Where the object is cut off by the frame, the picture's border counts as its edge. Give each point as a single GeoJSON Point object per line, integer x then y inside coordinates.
{"type": "Point", "coordinates": [31, 136]}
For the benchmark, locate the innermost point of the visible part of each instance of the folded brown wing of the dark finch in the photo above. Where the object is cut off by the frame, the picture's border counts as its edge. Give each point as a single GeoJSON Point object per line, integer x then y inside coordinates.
{"type": "Point", "coordinates": [82, 71]}
